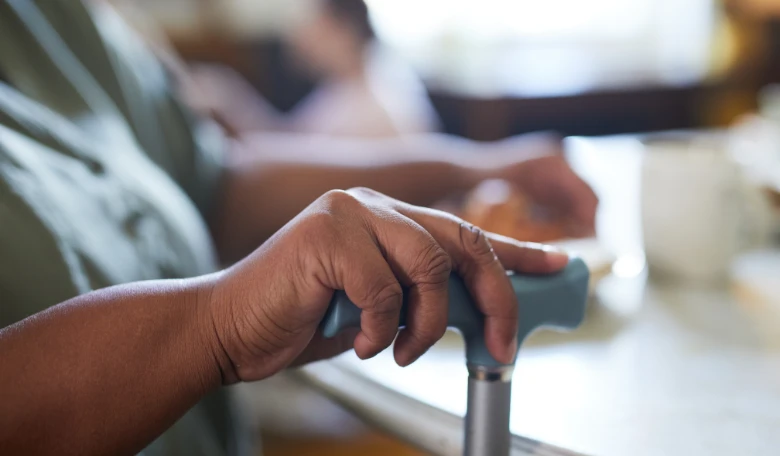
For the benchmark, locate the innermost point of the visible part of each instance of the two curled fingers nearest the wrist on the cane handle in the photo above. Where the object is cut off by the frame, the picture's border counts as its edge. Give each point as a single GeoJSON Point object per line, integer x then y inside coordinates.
{"type": "Point", "coordinates": [377, 252]}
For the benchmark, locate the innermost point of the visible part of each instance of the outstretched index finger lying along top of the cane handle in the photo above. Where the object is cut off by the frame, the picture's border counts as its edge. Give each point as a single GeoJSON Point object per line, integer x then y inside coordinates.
{"type": "Point", "coordinates": [527, 257]}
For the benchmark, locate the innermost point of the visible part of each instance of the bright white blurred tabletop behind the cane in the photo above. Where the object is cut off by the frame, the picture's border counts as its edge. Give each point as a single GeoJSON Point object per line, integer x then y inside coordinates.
{"type": "Point", "coordinates": [656, 369]}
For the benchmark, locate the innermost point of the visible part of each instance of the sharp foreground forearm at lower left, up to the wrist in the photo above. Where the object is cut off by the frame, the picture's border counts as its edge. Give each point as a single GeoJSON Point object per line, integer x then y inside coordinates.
{"type": "Point", "coordinates": [105, 373]}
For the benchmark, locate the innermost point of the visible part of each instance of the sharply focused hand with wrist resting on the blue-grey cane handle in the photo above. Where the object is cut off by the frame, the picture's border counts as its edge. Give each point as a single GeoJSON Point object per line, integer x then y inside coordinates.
{"type": "Point", "coordinates": [266, 309]}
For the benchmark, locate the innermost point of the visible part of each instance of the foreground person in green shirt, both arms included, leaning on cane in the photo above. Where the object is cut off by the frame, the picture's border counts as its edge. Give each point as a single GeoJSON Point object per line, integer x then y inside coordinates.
{"type": "Point", "coordinates": [107, 179]}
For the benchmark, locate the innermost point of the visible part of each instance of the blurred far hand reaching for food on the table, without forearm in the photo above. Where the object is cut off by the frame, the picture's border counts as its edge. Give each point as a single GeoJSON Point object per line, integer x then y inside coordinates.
{"type": "Point", "coordinates": [548, 179]}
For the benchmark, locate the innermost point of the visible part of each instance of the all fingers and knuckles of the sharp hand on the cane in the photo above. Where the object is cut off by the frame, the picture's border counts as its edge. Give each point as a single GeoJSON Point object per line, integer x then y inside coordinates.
{"type": "Point", "coordinates": [415, 248]}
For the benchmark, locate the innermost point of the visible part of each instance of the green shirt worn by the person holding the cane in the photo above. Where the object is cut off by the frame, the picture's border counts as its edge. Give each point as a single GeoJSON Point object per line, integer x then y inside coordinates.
{"type": "Point", "coordinates": [104, 176]}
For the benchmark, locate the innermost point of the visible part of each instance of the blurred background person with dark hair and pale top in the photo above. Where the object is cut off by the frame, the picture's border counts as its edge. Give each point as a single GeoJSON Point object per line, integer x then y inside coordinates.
{"type": "Point", "coordinates": [362, 90]}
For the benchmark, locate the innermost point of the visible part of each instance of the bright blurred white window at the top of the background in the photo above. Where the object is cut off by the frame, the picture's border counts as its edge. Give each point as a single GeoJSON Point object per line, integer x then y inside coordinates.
{"type": "Point", "coordinates": [550, 47]}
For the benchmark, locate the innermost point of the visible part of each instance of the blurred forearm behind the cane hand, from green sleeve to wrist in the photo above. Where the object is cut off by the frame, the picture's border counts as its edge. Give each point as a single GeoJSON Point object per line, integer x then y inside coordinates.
{"type": "Point", "coordinates": [277, 176]}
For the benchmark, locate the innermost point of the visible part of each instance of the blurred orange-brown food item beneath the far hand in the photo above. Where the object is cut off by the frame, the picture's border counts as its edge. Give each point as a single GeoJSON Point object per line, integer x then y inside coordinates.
{"type": "Point", "coordinates": [499, 207]}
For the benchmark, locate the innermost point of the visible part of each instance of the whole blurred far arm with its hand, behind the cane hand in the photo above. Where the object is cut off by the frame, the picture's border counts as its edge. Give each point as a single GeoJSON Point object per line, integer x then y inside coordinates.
{"type": "Point", "coordinates": [282, 174]}
